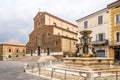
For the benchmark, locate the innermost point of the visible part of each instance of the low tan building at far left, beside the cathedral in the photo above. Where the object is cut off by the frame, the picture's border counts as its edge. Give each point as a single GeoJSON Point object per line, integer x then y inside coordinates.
{"type": "Point", "coordinates": [9, 50]}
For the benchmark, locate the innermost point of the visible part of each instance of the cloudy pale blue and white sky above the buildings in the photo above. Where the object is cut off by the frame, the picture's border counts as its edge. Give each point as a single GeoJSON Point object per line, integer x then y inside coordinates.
{"type": "Point", "coordinates": [16, 16]}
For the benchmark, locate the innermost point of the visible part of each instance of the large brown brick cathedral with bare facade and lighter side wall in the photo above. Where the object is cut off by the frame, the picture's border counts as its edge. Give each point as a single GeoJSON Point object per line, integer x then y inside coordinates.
{"type": "Point", "coordinates": [51, 35]}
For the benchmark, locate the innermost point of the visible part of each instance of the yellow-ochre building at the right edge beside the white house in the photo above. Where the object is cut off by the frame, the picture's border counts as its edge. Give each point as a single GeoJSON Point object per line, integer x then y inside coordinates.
{"type": "Point", "coordinates": [114, 12]}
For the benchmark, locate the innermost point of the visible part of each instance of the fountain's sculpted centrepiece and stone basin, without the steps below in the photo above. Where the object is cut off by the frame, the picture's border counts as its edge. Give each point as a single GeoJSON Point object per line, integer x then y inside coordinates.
{"type": "Point", "coordinates": [87, 55]}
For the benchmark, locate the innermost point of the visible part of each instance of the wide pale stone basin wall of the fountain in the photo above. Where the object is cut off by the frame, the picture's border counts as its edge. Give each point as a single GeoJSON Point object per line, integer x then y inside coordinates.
{"type": "Point", "coordinates": [91, 62]}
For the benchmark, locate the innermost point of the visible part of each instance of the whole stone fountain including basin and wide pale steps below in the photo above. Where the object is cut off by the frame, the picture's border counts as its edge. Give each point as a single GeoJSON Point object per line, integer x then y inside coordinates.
{"type": "Point", "coordinates": [85, 62]}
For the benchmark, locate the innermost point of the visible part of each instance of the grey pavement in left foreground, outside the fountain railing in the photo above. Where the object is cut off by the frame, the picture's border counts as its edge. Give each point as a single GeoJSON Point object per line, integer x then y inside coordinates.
{"type": "Point", "coordinates": [13, 70]}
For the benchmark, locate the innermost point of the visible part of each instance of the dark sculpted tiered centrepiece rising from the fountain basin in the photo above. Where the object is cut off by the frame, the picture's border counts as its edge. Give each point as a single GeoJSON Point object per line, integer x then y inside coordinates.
{"type": "Point", "coordinates": [85, 48]}
